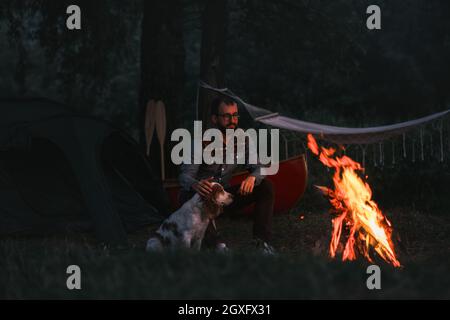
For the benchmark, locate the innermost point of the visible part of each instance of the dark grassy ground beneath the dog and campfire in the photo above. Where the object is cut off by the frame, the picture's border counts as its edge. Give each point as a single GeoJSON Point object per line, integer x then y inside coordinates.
{"type": "Point", "coordinates": [36, 268]}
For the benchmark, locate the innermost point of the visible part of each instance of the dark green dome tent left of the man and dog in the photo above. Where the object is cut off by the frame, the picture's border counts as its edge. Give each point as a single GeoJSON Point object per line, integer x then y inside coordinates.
{"type": "Point", "coordinates": [62, 172]}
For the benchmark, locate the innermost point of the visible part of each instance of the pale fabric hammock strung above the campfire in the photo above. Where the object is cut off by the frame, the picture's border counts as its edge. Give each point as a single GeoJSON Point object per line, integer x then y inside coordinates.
{"type": "Point", "coordinates": [339, 135]}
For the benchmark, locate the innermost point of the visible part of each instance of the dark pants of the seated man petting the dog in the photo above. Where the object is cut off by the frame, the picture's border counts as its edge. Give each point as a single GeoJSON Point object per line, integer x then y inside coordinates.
{"type": "Point", "coordinates": [263, 198]}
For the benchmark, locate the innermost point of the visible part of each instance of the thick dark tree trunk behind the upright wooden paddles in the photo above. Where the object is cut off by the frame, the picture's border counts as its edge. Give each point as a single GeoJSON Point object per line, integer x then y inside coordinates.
{"type": "Point", "coordinates": [162, 71]}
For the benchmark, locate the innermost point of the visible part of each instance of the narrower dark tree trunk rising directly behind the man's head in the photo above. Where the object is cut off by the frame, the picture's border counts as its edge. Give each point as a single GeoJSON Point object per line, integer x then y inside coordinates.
{"type": "Point", "coordinates": [212, 68]}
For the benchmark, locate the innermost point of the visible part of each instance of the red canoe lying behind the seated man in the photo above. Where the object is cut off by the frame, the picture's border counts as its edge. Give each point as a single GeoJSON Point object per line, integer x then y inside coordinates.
{"type": "Point", "coordinates": [289, 184]}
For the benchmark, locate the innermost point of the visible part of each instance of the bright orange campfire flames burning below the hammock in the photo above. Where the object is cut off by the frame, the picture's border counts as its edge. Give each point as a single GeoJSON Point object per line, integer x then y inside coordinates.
{"type": "Point", "coordinates": [354, 210]}
